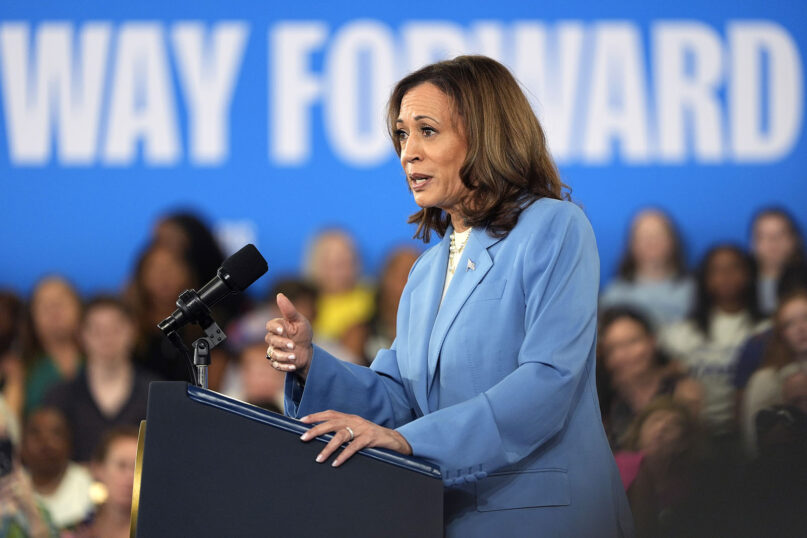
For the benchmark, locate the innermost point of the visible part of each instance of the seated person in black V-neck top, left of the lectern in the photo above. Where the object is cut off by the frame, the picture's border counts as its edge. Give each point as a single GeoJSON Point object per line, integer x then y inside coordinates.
{"type": "Point", "coordinates": [109, 391]}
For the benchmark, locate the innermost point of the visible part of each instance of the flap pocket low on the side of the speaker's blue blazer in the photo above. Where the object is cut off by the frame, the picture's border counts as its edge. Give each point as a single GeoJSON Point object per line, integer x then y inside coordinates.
{"type": "Point", "coordinates": [525, 489]}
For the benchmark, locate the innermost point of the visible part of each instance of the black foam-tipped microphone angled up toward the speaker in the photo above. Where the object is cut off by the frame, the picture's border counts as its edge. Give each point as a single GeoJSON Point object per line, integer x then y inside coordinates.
{"type": "Point", "coordinates": [236, 274]}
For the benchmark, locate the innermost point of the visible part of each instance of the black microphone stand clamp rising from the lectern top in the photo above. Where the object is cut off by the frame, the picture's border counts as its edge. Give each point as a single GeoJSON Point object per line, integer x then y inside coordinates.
{"type": "Point", "coordinates": [190, 303]}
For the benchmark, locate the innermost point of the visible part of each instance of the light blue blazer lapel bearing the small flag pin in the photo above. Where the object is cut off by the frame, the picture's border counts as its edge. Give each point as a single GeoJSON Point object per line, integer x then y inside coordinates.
{"type": "Point", "coordinates": [472, 268]}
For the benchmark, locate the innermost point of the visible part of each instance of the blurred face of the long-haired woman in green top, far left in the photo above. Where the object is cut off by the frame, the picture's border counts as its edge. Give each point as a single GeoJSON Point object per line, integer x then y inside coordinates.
{"type": "Point", "coordinates": [55, 310]}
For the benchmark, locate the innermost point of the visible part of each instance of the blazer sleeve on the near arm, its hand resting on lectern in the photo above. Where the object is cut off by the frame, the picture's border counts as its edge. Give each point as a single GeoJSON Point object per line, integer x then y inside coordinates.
{"type": "Point", "coordinates": [531, 405]}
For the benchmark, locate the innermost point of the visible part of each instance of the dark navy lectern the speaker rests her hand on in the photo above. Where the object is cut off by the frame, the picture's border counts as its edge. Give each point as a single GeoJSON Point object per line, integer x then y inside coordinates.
{"type": "Point", "coordinates": [213, 466]}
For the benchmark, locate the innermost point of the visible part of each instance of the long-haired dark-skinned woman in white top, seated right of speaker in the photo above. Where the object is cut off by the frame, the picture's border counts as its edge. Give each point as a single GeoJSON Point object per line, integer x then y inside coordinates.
{"type": "Point", "coordinates": [725, 314]}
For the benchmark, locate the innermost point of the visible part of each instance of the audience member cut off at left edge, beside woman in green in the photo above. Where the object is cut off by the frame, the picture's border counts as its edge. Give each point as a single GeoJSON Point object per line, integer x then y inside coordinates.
{"type": "Point", "coordinates": [12, 373]}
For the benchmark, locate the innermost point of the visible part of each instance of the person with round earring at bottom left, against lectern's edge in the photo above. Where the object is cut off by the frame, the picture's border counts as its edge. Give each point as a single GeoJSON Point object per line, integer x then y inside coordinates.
{"type": "Point", "coordinates": [113, 466]}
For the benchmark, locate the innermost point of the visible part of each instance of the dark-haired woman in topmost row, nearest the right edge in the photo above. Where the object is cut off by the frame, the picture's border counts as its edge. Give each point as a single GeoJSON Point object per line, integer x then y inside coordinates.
{"type": "Point", "coordinates": [776, 242]}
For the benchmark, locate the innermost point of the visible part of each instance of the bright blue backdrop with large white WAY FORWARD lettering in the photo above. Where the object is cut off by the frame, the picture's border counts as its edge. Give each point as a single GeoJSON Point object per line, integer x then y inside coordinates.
{"type": "Point", "coordinates": [268, 119]}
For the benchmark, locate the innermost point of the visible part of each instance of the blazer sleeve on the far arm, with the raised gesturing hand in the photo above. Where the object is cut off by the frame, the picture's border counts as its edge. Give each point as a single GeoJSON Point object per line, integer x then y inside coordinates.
{"type": "Point", "coordinates": [382, 400]}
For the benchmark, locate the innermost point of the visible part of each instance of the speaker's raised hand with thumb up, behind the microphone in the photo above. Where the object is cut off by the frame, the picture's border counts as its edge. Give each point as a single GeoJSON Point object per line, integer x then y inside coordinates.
{"type": "Point", "coordinates": [289, 338]}
